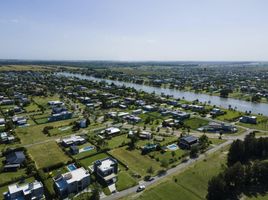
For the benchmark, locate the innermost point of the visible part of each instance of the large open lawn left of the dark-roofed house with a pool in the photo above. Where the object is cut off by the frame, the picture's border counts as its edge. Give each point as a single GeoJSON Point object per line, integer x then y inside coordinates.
{"type": "Point", "coordinates": [135, 161]}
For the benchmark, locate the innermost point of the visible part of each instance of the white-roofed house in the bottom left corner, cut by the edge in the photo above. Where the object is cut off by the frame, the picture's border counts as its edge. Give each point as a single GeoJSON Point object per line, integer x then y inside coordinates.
{"type": "Point", "coordinates": [33, 190]}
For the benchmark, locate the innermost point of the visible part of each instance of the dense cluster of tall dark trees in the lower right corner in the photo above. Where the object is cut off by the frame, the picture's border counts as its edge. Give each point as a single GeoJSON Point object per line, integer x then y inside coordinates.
{"type": "Point", "coordinates": [247, 170]}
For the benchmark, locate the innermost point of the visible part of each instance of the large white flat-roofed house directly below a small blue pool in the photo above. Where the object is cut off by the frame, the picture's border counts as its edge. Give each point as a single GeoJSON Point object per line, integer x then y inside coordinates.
{"type": "Point", "coordinates": [71, 182]}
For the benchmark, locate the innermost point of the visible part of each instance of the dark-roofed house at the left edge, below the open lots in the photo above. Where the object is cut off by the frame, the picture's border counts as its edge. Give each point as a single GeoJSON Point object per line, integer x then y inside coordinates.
{"type": "Point", "coordinates": [14, 160]}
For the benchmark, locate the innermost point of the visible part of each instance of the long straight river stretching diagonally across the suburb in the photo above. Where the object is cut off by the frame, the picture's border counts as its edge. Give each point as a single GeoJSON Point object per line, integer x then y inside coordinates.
{"type": "Point", "coordinates": [241, 105]}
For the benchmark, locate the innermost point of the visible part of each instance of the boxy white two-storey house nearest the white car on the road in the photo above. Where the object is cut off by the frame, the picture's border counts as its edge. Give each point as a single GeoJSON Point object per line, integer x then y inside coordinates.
{"type": "Point", "coordinates": [106, 170]}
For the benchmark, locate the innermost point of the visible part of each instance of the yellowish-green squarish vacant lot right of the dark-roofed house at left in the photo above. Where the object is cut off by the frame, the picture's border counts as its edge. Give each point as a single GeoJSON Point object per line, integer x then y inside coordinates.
{"type": "Point", "coordinates": [47, 154]}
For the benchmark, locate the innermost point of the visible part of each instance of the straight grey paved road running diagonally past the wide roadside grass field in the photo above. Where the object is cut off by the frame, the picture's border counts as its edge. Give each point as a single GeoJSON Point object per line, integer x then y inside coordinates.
{"type": "Point", "coordinates": [181, 167]}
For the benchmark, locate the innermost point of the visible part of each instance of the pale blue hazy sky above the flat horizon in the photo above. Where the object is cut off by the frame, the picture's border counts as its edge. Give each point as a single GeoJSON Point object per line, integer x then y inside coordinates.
{"type": "Point", "coordinates": [134, 30]}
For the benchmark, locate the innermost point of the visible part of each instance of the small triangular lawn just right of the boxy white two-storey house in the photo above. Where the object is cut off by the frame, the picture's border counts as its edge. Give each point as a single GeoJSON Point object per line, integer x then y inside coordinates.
{"type": "Point", "coordinates": [125, 181]}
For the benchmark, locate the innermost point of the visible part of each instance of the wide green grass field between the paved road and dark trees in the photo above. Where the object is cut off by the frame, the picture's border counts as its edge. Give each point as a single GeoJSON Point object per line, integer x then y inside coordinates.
{"type": "Point", "coordinates": [190, 184]}
